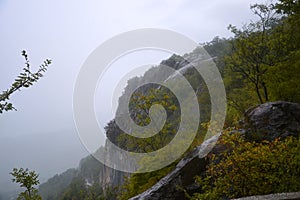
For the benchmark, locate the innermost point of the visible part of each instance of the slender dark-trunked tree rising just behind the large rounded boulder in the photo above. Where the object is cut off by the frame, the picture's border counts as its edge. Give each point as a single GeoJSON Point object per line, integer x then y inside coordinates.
{"type": "Point", "coordinates": [252, 54]}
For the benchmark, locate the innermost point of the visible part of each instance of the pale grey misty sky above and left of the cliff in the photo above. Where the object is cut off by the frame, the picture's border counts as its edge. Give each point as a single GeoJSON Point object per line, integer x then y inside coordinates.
{"type": "Point", "coordinates": [41, 135]}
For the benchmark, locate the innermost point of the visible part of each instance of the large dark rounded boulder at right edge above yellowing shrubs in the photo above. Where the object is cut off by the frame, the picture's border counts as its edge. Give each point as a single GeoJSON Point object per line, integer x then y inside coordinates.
{"type": "Point", "coordinates": [272, 120]}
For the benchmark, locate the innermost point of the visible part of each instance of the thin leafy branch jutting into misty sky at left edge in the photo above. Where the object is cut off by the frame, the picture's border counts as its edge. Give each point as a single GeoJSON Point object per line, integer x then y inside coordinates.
{"type": "Point", "coordinates": [24, 80]}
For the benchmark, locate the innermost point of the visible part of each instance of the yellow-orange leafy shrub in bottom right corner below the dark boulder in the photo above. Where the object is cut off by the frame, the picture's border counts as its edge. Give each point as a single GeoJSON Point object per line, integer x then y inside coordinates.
{"type": "Point", "coordinates": [251, 168]}
